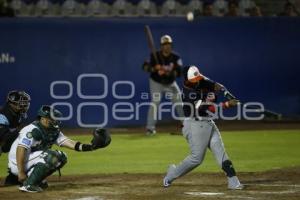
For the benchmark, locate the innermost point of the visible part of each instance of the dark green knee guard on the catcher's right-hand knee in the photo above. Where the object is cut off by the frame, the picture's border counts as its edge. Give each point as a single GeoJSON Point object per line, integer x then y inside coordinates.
{"type": "Point", "coordinates": [55, 159]}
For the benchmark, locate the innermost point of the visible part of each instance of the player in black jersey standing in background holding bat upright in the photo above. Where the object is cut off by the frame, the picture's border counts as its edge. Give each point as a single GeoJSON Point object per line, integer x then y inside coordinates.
{"type": "Point", "coordinates": [164, 68]}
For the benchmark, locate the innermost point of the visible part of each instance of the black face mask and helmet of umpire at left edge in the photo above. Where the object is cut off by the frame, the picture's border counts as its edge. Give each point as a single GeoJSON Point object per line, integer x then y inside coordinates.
{"type": "Point", "coordinates": [20, 100]}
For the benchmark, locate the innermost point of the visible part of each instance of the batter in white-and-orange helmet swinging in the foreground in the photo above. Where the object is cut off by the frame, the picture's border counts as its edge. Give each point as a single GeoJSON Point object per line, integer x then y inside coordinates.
{"type": "Point", "coordinates": [199, 94]}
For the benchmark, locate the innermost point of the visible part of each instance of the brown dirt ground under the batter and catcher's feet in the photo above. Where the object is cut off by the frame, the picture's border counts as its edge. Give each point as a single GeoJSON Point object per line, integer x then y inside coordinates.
{"type": "Point", "coordinates": [277, 184]}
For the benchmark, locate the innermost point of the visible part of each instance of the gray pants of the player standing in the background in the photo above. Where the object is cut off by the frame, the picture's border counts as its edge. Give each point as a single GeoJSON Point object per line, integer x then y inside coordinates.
{"type": "Point", "coordinates": [157, 90]}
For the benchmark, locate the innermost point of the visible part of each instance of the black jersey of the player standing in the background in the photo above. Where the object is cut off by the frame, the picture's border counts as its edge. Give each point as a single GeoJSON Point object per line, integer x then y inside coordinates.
{"type": "Point", "coordinates": [171, 64]}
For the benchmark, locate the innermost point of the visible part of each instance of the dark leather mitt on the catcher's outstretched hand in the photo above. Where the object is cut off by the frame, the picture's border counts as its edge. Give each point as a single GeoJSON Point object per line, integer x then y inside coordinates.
{"type": "Point", "coordinates": [101, 138]}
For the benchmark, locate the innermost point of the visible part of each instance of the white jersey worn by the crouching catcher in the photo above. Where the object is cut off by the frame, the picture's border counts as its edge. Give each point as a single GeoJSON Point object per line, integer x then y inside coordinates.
{"type": "Point", "coordinates": [29, 141]}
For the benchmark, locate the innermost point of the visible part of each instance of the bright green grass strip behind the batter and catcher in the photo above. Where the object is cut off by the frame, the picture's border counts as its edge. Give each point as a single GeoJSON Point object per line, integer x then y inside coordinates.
{"type": "Point", "coordinates": [135, 153]}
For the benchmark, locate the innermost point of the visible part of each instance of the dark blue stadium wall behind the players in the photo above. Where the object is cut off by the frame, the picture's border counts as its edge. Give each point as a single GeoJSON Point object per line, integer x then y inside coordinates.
{"type": "Point", "coordinates": [257, 58]}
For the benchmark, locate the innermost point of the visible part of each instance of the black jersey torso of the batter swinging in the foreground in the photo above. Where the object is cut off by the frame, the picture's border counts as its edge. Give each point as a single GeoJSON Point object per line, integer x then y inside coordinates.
{"type": "Point", "coordinates": [196, 99]}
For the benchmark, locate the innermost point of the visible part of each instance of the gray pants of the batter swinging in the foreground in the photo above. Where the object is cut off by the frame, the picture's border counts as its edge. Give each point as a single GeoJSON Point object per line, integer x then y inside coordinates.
{"type": "Point", "coordinates": [200, 135]}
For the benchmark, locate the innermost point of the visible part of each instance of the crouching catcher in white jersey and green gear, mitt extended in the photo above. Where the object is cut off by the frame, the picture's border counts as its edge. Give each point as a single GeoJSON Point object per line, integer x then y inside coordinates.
{"type": "Point", "coordinates": [31, 157]}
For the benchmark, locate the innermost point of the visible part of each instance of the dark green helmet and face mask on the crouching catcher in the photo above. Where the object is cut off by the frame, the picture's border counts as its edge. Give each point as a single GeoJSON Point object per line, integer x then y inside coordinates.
{"type": "Point", "coordinates": [49, 112]}
